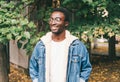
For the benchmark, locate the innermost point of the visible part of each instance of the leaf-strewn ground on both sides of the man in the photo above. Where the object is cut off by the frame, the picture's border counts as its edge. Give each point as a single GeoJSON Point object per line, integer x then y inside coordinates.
{"type": "Point", "coordinates": [104, 69]}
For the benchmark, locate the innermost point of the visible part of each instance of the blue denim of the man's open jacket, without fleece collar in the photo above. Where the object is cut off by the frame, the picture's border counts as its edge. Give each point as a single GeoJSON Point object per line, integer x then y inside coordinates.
{"type": "Point", "coordinates": [78, 66]}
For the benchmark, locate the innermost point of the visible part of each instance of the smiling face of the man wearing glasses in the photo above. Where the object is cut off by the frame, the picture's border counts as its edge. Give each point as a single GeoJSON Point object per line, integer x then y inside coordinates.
{"type": "Point", "coordinates": [57, 22]}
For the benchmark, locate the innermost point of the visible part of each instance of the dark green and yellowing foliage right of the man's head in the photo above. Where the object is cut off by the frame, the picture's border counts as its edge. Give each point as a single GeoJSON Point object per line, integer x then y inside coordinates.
{"type": "Point", "coordinates": [94, 18]}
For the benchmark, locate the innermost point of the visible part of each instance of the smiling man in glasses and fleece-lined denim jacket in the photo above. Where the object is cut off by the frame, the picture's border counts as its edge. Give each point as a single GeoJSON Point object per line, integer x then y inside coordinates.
{"type": "Point", "coordinates": [59, 56]}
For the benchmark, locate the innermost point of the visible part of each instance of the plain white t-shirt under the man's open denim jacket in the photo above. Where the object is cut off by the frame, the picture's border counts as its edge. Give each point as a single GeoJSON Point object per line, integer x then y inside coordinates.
{"type": "Point", "coordinates": [58, 61]}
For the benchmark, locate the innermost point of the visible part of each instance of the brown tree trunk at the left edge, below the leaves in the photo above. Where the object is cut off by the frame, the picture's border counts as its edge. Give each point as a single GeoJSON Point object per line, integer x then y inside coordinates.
{"type": "Point", "coordinates": [3, 64]}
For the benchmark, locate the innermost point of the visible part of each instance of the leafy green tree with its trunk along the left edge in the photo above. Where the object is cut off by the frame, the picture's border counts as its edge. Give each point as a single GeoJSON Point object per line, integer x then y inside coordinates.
{"type": "Point", "coordinates": [14, 26]}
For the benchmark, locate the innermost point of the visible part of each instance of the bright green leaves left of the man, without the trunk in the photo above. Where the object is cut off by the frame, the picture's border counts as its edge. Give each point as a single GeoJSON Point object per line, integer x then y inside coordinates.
{"type": "Point", "coordinates": [15, 26]}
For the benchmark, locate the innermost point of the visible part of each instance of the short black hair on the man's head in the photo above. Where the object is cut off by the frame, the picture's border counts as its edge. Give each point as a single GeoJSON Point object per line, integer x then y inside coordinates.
{"type": "Point", "coordinates": [64, 11]}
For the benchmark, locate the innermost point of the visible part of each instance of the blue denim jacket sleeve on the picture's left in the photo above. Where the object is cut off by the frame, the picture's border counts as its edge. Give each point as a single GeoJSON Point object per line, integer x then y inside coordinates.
{"type": "Point", "coordinates": [33, 65]}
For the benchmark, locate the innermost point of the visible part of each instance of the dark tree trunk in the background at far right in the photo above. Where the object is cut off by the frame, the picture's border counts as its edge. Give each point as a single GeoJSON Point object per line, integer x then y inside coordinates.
{"type": "Point", "coordinates": [112, 49]}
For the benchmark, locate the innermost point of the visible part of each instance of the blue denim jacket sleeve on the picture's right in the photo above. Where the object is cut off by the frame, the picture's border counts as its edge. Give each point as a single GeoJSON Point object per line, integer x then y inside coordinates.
{"type": "Point", "coordinates": [86, 67]}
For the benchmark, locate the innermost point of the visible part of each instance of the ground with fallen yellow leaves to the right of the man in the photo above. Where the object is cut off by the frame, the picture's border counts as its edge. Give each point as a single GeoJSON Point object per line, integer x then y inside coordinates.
{"type": "Point", "coordinates": [105, 69]}
